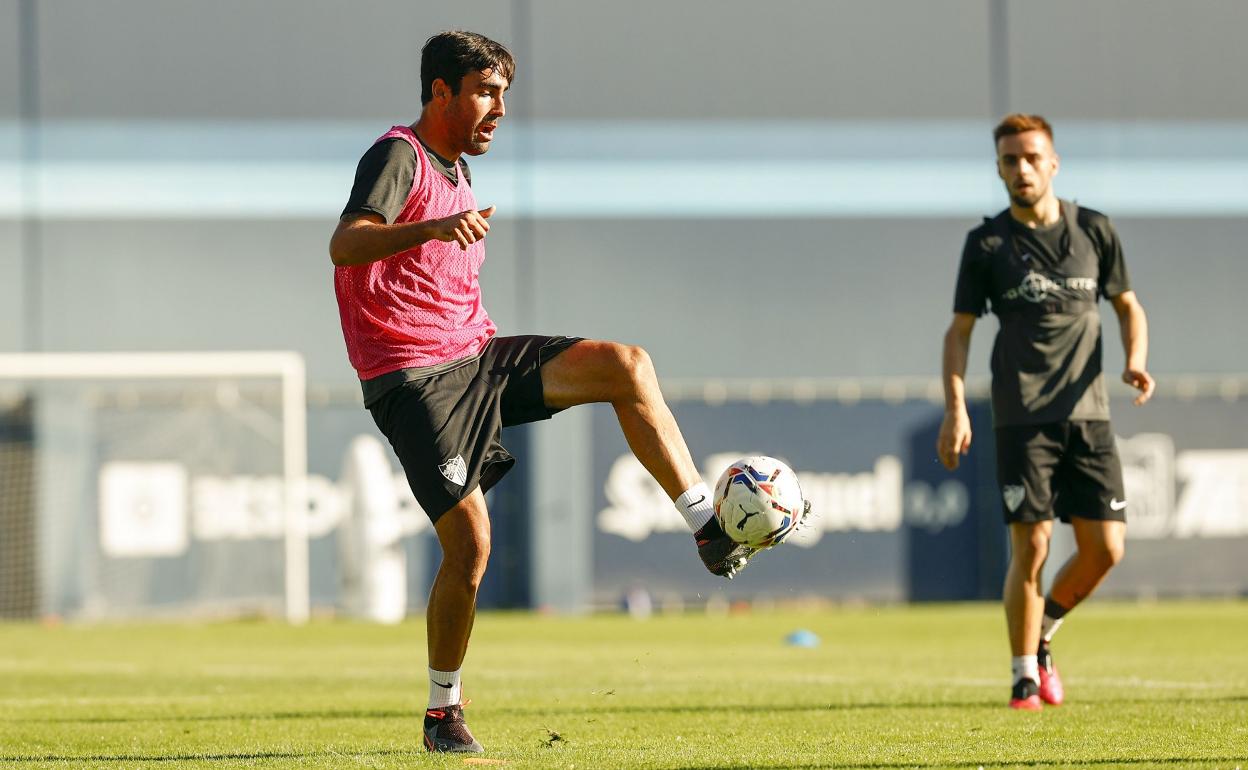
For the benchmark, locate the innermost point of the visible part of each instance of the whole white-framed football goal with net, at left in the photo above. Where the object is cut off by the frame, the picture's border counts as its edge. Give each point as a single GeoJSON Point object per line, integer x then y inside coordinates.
{"type": "Point", "coordinates": [142, 485]}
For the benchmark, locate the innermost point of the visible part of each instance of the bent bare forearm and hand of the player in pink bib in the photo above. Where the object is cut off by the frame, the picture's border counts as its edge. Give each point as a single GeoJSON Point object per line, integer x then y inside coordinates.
{"type": "Point", "coordinates": [366, 238]}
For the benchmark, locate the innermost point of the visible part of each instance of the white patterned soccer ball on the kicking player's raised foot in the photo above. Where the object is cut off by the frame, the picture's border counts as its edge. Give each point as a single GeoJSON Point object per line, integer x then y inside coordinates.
{"type": "Point", "coordinates": [758, 501]}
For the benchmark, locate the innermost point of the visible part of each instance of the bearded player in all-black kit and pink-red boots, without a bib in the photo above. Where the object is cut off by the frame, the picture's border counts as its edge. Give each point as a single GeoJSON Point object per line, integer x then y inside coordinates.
{"type": "Point", "coordinates": [1041, 266]}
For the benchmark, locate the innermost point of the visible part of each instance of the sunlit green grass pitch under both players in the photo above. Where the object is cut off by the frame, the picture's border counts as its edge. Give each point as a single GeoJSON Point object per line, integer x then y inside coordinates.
{"type": "Point", "coordinates": [1149, 686]}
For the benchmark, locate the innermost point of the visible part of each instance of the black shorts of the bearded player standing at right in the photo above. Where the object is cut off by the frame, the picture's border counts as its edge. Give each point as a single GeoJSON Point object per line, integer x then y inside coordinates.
{"type": "Point", "coordinates": [1066, 470]}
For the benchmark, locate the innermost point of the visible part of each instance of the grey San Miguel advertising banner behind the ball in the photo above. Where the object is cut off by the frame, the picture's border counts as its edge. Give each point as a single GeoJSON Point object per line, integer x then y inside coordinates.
{"type": "Point", "coordinates": [851, 460]}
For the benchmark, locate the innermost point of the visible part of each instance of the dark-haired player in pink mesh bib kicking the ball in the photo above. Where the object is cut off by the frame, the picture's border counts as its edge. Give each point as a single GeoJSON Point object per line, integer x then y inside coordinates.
{"type": "Point", "coordinates": [440, 384]}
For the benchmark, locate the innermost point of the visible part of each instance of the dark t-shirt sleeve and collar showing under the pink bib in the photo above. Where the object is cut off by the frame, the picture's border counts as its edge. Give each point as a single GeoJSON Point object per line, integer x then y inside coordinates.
{"type": "Point", "coordinates": [386, 174]}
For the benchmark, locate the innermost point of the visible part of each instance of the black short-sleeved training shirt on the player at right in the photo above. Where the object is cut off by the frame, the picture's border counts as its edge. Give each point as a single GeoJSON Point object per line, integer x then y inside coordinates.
{"type": "Point", "coordinates": [1044, 286]}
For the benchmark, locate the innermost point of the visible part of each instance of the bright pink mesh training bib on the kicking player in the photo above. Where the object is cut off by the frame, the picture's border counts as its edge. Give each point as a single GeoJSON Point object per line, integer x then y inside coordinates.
{"type": "Point", "coordinates": [422, 306]}
